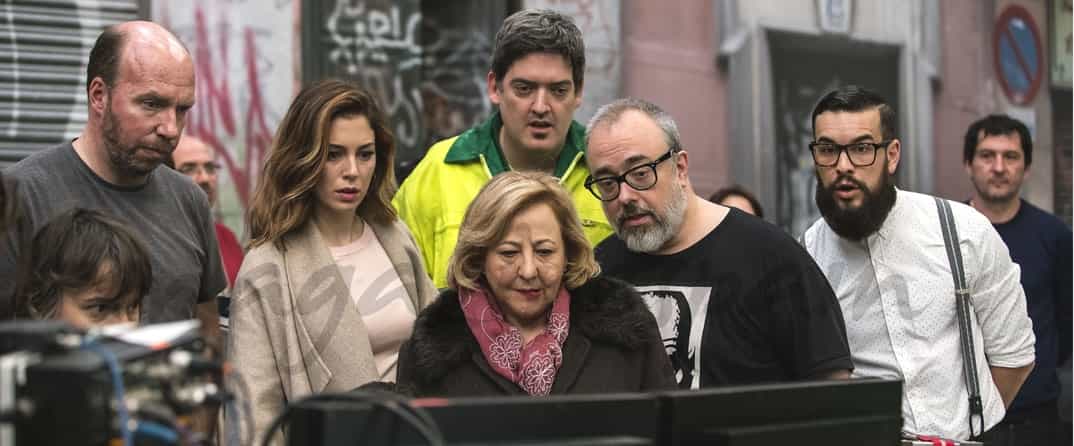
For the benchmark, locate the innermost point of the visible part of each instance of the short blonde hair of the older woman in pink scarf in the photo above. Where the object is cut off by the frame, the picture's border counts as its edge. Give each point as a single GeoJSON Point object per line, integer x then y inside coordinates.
{"type": "Point", "coordinates": [490, 215]}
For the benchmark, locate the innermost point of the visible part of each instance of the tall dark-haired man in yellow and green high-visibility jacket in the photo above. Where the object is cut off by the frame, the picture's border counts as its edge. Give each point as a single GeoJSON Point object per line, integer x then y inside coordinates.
{"type": "Point", "coordinates": [539, 65]}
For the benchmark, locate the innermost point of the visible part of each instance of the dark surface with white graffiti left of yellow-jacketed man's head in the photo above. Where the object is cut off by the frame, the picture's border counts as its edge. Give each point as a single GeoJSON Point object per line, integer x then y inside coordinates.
{"type": "Point", "coordinates": [425, 62]}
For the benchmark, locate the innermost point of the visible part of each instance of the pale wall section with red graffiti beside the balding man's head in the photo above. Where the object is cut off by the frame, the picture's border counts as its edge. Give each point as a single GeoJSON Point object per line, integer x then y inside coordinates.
{"type": "Point", "coordinates": [242, 54]}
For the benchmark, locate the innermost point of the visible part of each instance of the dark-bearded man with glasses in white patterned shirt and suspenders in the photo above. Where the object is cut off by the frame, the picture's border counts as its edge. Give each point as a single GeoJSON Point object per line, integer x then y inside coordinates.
{"type": "Point", "coordinates": [884, 254]}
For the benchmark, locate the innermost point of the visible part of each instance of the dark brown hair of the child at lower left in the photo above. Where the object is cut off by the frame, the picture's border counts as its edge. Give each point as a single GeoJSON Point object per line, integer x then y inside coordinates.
{"type": "Point", "coordinates": [69, 254]}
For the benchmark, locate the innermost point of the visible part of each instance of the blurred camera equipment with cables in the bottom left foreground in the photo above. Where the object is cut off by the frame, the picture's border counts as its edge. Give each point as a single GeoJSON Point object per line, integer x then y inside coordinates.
{"type": "Point", "coordinates": [63, 386]}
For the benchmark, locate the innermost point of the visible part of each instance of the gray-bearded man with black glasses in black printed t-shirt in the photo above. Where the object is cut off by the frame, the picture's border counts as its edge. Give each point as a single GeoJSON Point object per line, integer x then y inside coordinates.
{"type": "Point", "coordinates": [737, 300]}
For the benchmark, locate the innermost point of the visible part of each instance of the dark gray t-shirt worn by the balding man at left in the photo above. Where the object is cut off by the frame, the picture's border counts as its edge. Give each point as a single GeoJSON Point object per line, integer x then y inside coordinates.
{"type": "Point", "coordinates": [169, 213]}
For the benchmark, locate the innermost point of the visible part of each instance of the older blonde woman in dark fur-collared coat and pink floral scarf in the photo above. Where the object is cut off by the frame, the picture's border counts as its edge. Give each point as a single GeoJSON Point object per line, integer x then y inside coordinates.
{"type": "Point", "coordinates": [527, 312]}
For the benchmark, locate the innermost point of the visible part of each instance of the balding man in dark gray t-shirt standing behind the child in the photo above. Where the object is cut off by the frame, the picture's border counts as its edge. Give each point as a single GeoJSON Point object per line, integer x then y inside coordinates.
{"type": "Point", "coordinates": [140, 88]}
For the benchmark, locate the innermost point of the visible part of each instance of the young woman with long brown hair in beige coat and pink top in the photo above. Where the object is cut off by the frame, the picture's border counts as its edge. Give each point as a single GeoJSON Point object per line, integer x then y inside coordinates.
{"type": "Point", "coordinates": [333, 282]}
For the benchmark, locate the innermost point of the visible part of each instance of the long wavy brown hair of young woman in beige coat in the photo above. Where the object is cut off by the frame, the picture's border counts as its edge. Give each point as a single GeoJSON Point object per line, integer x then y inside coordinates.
{"type": "Point", "coordinates": [285, 197]}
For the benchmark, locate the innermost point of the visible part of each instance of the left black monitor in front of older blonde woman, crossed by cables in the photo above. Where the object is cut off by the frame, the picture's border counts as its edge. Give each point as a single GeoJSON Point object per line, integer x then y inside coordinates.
{"type": "Point", "coordinates": [594, 420]}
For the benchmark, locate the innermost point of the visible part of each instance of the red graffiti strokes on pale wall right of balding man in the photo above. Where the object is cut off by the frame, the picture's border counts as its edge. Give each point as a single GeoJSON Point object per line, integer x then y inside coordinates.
{"type": "Point", "coordinates": [213, 120]}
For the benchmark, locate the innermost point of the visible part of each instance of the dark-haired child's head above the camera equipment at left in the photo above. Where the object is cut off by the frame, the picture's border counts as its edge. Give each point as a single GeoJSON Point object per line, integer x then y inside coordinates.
{"type": "Point", "coordinates": [85, 268]}
